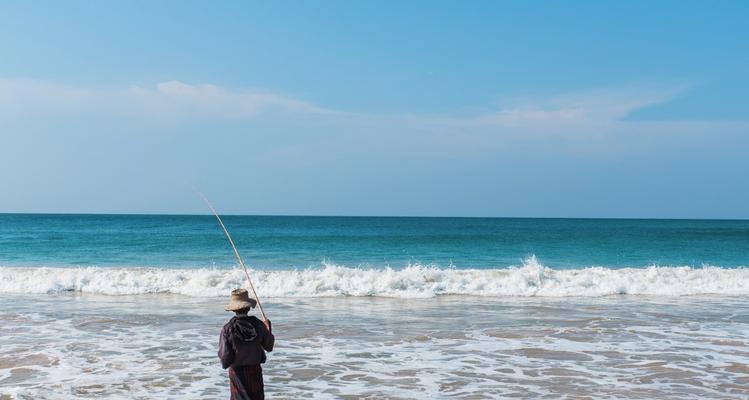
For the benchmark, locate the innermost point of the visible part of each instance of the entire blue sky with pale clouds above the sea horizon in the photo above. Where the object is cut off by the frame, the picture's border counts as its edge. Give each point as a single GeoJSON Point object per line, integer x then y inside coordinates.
{"type": "Point", "coordinates": [589, 109]}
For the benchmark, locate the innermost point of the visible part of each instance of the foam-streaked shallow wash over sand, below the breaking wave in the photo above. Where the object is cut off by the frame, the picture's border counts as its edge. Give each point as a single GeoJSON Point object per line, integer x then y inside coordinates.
{"type": "Point", "coordinates": [164, 346]}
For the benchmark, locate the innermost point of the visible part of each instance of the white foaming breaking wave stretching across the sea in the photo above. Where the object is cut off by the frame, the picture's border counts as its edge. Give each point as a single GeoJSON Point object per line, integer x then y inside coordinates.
{"type": "Point", "coordinates": [530, 279]}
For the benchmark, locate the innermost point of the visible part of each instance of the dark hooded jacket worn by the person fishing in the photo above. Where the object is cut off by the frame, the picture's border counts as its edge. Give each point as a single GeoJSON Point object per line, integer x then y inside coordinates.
{"type": "Point", "coordinates": [244, 341]}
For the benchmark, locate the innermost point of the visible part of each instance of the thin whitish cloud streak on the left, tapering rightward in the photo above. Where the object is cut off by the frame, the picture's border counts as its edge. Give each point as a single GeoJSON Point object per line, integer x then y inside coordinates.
{"type": "Point", "coordinates": [172, 100]}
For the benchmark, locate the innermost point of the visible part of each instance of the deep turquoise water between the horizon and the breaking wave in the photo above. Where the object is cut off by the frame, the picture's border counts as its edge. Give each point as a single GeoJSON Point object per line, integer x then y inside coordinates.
{"type": "Point", "coordinates": [278, 242]}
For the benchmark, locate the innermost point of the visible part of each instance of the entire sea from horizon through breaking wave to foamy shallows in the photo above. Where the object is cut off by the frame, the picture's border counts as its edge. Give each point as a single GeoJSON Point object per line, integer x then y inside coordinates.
{"type": "Point", "coordinates": [130, 306]}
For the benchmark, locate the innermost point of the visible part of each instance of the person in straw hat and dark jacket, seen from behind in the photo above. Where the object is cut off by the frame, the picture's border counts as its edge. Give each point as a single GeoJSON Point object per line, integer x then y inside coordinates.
{"type": "Point", "coordinates": [242, 346]}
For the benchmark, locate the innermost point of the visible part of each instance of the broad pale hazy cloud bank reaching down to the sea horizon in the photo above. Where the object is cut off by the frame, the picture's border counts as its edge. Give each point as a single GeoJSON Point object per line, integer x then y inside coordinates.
{"type": "Point", "coordinates": [99, 144]}
